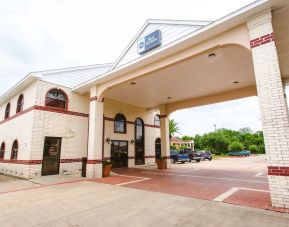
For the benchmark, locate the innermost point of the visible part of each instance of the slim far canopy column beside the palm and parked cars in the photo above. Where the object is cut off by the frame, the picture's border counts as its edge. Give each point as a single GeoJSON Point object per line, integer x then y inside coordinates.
{"type": "Point", "coordinates": [165, 138]}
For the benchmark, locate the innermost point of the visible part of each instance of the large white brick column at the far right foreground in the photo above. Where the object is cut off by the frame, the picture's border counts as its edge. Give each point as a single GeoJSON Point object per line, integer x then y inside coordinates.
{"type": "Point", "coordinates": [273, 107]}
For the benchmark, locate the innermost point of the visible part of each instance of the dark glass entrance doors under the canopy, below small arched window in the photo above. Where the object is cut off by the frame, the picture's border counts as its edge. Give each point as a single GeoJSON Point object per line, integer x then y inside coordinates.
{"type": "Point", "coordinates": [119, 153]}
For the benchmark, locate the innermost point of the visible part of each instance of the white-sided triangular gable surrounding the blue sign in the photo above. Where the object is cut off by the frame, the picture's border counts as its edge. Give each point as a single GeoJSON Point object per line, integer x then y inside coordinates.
{"type": "Point", "coordinates": [171, 30]}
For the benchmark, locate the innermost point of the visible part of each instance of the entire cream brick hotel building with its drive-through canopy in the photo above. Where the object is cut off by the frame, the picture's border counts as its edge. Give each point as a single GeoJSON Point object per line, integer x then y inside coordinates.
{"type": "Point", "coordinates": [69, 120]}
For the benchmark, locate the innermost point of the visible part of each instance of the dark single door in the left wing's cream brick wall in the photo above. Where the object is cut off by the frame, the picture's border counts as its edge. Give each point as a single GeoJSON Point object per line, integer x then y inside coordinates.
{"type": "Point", "coordinates": [51, 156]}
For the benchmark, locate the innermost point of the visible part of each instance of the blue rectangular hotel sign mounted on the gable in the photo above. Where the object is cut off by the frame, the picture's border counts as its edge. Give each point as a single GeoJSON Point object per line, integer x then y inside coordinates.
{"type": "Point", "coordinates": [149, 42]}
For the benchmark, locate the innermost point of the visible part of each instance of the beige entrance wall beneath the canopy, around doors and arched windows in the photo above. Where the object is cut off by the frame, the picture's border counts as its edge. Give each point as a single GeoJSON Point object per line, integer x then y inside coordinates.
{"type": "Point", "coordinates": [131, 112]}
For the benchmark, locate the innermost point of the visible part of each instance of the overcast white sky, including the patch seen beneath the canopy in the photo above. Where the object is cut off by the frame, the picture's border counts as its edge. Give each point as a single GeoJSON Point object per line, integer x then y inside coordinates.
{"type": "Point", "coordinates": [48, 34]}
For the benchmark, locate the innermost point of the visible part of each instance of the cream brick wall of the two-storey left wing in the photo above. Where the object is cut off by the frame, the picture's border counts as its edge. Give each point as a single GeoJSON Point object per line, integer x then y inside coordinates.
{"type": "Point", "coordinates": [32, 127]}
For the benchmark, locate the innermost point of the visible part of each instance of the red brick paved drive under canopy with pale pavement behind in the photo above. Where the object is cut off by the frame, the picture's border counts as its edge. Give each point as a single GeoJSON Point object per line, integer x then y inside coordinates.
{"type": "Point", "coordinates": [241, 181]}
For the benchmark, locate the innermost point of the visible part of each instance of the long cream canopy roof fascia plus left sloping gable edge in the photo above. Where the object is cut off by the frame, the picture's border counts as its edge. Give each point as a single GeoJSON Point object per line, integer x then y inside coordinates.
{"type": "Point", "coordinates": [208, 31]}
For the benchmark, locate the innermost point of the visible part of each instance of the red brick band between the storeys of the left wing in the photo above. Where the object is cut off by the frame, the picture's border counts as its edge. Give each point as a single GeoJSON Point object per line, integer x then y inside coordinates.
{"type": "Point", "coordinates": [44, 108]}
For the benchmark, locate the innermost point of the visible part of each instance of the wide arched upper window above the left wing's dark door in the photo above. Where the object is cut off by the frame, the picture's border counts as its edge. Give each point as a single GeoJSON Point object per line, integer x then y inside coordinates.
{"type": "Point", "coordinates": [56, 98]}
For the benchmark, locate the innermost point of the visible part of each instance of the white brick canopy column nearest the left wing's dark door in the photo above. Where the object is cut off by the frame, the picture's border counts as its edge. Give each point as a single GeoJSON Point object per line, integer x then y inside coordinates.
{"type": "Point", "coordinates": [94, 157]}
